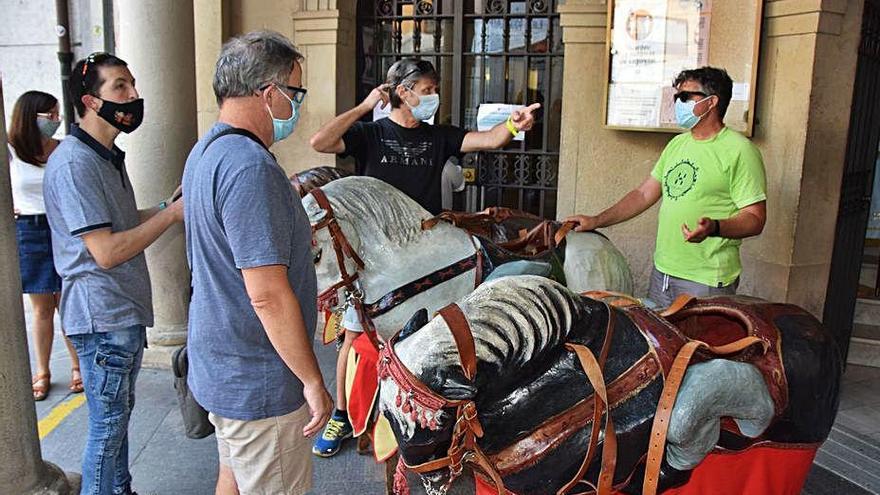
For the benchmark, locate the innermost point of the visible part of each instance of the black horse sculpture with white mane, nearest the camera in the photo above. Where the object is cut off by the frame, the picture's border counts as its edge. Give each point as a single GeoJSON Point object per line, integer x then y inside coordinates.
{"type": "Point", "coordinates": [514, 382]}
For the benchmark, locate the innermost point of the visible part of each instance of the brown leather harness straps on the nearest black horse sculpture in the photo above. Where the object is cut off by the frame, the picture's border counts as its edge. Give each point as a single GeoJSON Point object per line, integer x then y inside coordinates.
{"type": "Point", "coordinates": [424, 405]}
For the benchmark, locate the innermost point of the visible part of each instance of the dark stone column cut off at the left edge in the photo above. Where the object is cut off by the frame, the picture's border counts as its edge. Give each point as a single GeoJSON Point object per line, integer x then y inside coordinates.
{"type": "Point", "coordinates": [22, 469]}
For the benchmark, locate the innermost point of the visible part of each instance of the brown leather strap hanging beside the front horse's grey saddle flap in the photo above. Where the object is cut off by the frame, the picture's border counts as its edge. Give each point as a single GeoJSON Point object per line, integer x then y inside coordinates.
{"type": "Point", "coordinates": [660, 426]}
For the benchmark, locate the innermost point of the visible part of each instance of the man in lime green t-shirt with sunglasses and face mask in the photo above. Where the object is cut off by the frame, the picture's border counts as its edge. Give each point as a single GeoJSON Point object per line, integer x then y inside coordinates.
{"type": "Point", "coordinates": [714, 194]}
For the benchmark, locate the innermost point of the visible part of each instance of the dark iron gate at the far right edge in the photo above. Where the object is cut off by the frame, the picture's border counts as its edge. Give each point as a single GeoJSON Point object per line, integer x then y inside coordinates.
{"type": "Point", "coordinates": [855, 193]}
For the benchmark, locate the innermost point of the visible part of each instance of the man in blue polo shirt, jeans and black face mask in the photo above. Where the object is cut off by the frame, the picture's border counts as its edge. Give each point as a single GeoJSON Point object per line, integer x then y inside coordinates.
{"type": "Point", "coordinates": [98, 240]}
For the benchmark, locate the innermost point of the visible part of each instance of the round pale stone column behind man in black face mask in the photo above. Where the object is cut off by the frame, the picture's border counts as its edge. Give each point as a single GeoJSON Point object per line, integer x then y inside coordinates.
{"type": "Point", "coordinates": [156, 39]}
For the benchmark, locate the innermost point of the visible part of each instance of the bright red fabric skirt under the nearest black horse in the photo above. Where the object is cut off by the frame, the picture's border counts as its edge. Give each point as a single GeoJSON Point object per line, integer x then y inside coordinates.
{"type": "Point", "coordinates": [764, 470]}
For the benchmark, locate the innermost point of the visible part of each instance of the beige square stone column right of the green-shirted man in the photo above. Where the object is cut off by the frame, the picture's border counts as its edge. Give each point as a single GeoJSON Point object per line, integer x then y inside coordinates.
{"type": "Point", "coordinates": [805, 86]}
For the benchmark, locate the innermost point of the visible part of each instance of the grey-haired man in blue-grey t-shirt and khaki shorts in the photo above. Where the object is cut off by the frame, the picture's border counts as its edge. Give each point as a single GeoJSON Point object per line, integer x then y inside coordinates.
{"type": "Point", "coordinates": [253, 311]}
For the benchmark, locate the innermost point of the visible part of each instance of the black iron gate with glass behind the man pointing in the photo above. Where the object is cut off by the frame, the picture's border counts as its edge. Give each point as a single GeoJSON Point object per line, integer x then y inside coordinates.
{"type": "Point", "coordinates": [486, 51]}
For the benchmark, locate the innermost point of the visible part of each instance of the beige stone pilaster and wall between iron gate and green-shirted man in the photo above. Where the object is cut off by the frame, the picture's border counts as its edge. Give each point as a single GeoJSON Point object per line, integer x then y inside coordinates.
{"type": "Point", "coordinates": [596, 165]}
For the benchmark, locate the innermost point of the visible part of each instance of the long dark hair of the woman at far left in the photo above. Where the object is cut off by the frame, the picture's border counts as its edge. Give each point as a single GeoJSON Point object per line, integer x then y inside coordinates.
{"type": "Point", "coordinates": [24, 135]}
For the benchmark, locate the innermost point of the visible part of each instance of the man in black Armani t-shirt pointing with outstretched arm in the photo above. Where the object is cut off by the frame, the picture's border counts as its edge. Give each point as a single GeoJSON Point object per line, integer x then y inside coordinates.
{"type": "Point", "coordinates": [403, 149]}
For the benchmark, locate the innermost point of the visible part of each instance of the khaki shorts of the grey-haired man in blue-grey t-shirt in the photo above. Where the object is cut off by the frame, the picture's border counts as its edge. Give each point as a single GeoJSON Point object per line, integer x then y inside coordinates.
{"type": "Point", "coordinates": [267, 456]}
